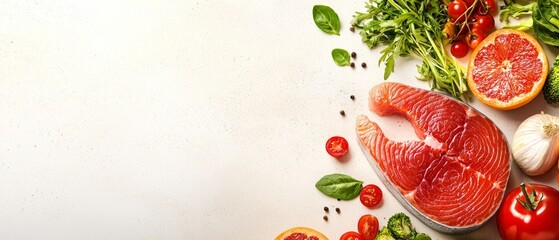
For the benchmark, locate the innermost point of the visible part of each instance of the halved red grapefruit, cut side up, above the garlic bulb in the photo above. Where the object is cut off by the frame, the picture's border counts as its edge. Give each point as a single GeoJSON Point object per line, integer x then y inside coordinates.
{"type": "Point", "coordinates": [507, 70]}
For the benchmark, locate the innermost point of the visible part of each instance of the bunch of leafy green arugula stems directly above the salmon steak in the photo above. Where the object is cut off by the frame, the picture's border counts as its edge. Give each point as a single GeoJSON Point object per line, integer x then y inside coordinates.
{"type": "Point", "coordinates": [412, 28]}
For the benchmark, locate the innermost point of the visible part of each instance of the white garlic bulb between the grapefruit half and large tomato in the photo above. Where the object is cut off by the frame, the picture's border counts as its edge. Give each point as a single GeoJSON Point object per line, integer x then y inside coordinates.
{"type": "Point", "coordinates": [535, 145]}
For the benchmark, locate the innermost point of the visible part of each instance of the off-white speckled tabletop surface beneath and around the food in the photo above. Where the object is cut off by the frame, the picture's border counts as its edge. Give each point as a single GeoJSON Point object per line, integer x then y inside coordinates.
{"type": "Point", "coordinates": [188, 120]}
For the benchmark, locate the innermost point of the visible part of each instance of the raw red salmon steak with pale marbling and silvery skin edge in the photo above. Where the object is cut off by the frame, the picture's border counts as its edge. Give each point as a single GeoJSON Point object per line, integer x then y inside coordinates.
{"type": "Point", "coordinates": [454, 177]}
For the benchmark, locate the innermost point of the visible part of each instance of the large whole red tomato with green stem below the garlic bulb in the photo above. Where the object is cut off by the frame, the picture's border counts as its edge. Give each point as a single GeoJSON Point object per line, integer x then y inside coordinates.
{"type": "Point", "coordinates": [517, 222]}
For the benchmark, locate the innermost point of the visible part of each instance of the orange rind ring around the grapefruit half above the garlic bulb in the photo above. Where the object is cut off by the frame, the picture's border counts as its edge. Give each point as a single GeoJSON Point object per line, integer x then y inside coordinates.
{"type": "Point", "coordinates": [516, 101]}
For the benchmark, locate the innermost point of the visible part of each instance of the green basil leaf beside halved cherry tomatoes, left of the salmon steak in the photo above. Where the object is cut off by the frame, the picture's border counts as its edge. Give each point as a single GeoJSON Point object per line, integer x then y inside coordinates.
{"type": "Point", "coordinates": [339, 186]}
